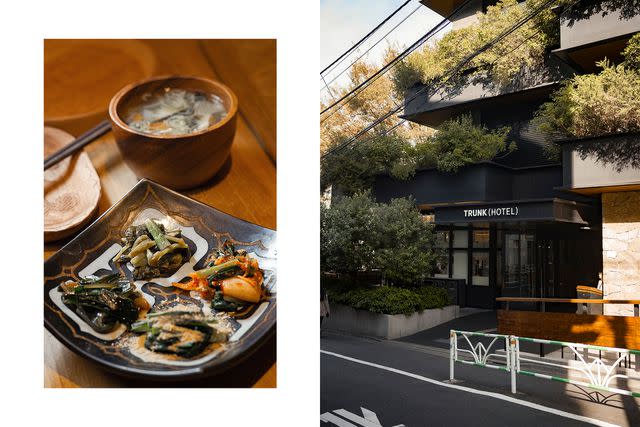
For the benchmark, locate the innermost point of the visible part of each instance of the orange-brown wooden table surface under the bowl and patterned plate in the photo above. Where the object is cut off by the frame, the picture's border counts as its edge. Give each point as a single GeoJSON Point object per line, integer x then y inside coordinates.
{"type": "Point", "coordinates": [246, 187]}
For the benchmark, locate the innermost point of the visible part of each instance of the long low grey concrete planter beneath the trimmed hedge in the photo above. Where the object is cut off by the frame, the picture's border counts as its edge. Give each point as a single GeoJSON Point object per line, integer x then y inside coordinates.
{"type": "Point", "coordinates": [388, 326]}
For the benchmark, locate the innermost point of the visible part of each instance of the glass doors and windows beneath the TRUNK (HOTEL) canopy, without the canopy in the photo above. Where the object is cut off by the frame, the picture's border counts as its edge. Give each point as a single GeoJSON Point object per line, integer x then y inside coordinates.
{"type": "Point", "coordinates": [542, 260]}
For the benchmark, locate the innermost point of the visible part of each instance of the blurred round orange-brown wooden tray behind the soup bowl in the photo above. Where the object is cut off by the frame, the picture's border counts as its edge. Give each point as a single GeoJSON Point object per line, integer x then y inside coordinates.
{"type": "Point", "coordinates": [81, 77]}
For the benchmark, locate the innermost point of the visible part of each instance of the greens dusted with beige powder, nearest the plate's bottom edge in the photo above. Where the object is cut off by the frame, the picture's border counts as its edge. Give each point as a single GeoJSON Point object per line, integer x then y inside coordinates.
{"type": "Point", "coordinates": [182, 333]}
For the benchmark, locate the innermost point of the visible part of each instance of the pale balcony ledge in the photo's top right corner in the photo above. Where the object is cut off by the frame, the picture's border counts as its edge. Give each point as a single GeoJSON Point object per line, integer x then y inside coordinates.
{"type": "Point", "coordinates": [586, 41]}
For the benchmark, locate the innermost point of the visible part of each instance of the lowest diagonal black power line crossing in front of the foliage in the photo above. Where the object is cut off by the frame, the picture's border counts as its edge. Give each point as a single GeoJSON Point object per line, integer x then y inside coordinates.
{"type": "Point", "coordinates": [449, 75]}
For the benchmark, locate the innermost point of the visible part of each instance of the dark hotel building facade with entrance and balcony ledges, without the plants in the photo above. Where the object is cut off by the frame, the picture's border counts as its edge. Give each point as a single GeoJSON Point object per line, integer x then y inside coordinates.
{"type": "Point", "coordinates": [520, 225]}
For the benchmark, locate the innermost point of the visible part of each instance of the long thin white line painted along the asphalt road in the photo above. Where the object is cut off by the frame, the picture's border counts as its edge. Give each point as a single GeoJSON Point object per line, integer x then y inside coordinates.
{"type": "Point", "coordinates": [474, 391]}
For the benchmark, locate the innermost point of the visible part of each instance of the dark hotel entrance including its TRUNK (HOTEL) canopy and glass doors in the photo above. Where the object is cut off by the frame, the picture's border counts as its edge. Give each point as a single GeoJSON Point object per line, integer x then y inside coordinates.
{"type": "Point", "coordinates": [540, 249]}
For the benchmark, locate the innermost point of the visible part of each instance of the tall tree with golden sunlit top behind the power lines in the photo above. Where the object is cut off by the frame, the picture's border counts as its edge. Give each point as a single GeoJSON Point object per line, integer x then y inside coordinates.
{"type": "Point", "coordinates": [381, 151]}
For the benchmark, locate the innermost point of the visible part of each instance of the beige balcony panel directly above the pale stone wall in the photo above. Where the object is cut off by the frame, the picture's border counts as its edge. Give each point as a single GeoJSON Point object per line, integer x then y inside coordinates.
{"type": "Point", "coordinates": [597, 165]}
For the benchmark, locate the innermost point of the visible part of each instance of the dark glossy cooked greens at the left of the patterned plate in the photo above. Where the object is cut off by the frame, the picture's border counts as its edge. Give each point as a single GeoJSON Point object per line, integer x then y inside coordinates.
{"type": "Point", "coordinates": [103, 302]}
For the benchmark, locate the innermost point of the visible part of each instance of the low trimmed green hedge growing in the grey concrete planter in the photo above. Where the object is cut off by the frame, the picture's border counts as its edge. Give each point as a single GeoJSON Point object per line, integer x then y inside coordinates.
{"type": "Point", "coordinates": [392, 300]}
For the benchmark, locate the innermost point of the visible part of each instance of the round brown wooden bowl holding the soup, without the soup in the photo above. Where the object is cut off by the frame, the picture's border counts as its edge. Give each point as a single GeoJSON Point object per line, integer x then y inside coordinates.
{"type": "Point", "coordinates": [176, 161]}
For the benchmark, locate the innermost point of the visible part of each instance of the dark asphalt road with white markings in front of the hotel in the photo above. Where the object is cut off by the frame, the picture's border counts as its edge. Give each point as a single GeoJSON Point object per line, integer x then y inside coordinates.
{"type": "Point", "coordinates": [407, 387]}
